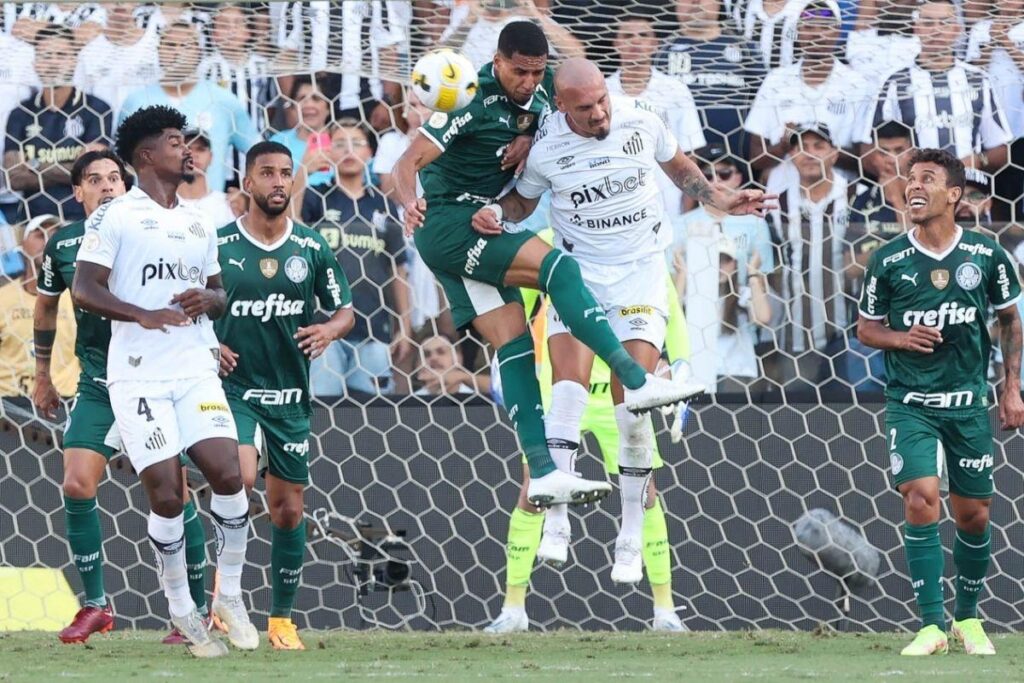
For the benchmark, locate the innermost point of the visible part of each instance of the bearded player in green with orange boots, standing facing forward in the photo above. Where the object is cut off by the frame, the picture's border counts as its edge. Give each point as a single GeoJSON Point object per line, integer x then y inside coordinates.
{"type": "Point", "coordinates": [275, 272]}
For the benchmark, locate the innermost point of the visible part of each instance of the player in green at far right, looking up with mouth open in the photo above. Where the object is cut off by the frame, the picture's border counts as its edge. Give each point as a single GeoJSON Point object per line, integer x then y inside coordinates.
{"type": "Point", "coordinates": [926, 304]}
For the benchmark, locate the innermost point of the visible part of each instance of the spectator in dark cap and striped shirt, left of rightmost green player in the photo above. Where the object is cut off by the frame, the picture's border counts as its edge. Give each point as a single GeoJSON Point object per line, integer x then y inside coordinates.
{"type": "Point", "coordinates": [812, 221]}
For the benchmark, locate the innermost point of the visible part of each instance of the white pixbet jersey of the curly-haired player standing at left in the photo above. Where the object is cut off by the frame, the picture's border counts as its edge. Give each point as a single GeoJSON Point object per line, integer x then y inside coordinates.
{"type": "Point", "coordinates": [155, 253]}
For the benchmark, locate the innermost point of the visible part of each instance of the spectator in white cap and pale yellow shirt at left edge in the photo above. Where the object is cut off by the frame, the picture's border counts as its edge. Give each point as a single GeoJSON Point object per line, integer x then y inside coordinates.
{"type": "Point", "coordinates": [18, 302]}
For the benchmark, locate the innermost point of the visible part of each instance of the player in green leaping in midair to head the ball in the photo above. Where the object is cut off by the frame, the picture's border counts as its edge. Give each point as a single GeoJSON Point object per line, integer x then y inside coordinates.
{"type": "Point", "coordinates": [463, 161]}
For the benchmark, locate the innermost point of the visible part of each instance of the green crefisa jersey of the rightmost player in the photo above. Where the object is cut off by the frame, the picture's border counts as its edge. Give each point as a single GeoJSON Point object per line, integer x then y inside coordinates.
{"type": "Point", "coordinates": [909, 285]}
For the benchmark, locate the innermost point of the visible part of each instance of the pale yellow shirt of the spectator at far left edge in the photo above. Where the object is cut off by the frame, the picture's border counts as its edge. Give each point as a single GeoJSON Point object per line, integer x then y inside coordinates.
{"type": "Point", "coordinates": [18, 359]}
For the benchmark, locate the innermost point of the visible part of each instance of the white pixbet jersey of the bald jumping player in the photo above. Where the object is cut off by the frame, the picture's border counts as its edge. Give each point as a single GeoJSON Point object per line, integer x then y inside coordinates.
{"type": "Point", "coordinates": [606, 206]}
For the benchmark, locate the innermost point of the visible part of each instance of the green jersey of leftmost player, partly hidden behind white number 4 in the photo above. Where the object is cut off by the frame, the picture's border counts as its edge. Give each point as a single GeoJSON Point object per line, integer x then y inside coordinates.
{"type": "Point", "coordinates": [94, 336]}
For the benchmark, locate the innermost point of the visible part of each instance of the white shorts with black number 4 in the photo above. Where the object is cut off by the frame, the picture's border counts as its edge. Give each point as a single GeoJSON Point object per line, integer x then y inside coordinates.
{"type": "Point", "coordinates": [159, 420]}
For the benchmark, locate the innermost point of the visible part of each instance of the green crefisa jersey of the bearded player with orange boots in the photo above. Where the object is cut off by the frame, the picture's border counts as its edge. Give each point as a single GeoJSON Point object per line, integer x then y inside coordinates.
{"type": "Point", "coordinates": [273, 291]}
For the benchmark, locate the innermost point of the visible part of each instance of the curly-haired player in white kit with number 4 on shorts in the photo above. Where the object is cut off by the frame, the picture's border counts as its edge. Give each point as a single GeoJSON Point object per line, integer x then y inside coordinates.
{"type": "Point", "coordinates": [150, 266]}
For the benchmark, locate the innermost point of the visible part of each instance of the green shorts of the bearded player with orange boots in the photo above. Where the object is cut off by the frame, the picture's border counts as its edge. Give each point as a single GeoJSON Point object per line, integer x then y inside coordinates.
{"type": "Point", "coordinates": [283, 443]}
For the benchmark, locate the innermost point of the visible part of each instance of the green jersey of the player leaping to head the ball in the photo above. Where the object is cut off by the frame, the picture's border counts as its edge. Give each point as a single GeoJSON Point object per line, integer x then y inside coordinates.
{"type": "Point", "coordinates": [474, 140]}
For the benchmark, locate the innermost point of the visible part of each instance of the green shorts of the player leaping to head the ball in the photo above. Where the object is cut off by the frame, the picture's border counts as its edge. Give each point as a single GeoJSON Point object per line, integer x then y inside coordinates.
{"type": "Point", "coordinates": [471, 267]}
